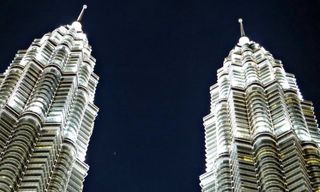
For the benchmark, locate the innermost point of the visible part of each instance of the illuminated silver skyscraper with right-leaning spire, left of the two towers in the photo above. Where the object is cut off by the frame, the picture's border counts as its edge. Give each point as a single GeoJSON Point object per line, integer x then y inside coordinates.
{"type": "Point", "coordinates": [47, 113]}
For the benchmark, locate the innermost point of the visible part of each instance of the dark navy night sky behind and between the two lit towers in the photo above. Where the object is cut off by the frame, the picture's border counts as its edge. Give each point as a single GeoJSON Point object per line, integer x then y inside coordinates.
{"type": "Point", "coordinates": [156, 60]}
